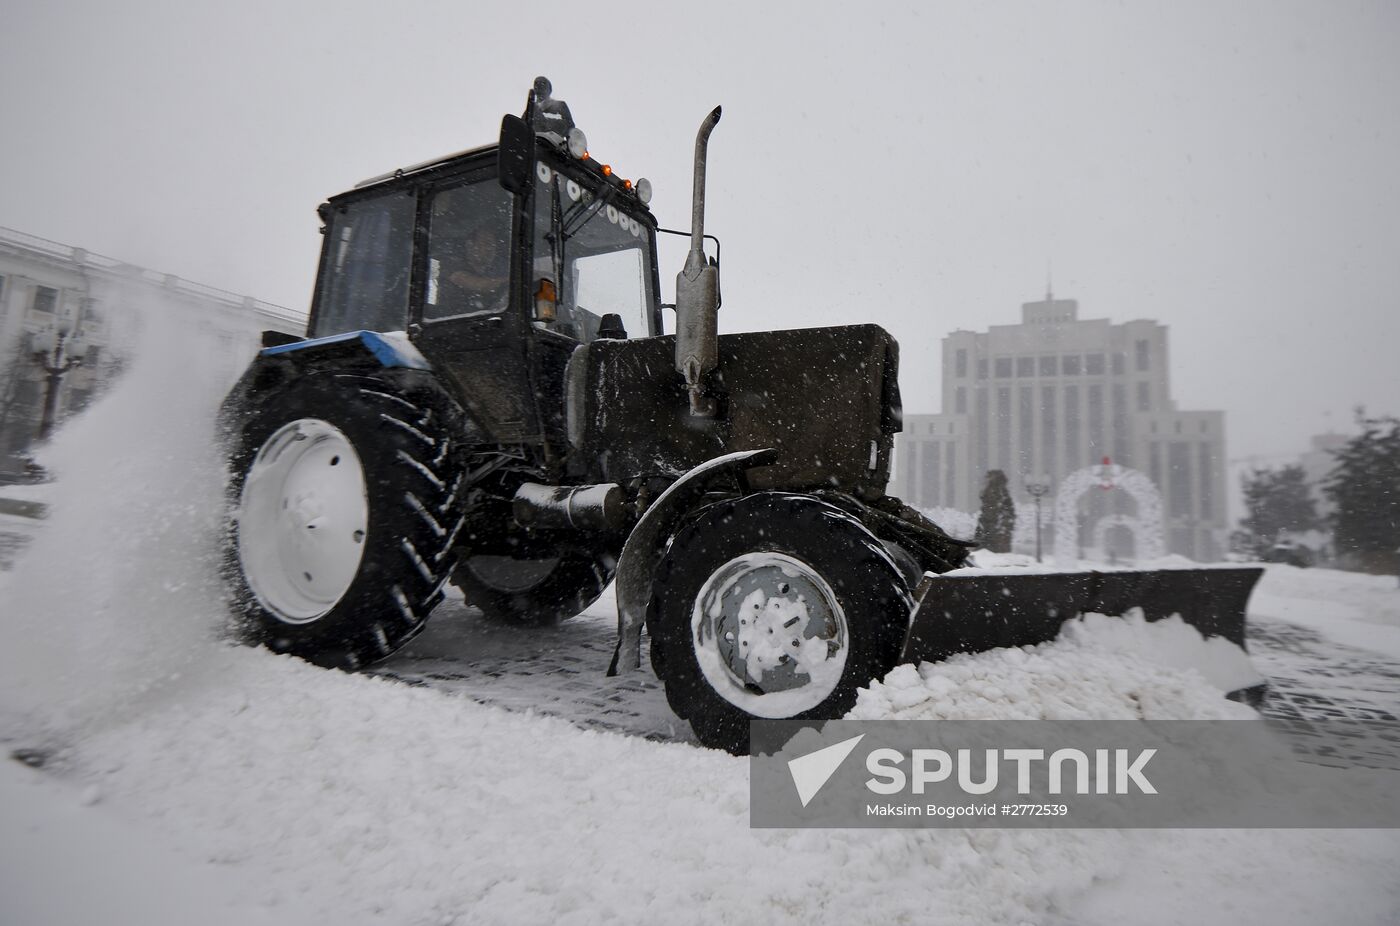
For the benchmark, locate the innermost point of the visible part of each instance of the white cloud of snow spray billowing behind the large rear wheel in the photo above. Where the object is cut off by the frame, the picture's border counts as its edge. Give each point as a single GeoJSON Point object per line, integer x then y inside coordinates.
{"type": "Point", "coordinates": [117, 596]}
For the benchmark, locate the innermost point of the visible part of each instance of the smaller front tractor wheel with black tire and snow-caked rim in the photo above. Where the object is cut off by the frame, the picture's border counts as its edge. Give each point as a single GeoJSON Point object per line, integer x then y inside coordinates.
{"type": "Point", "coordinates": [741, 534]}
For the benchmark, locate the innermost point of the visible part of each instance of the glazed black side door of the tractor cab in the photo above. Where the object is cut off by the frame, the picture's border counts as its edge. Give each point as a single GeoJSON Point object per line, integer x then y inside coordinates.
{"type": "Point", "coordinates": [468, 326]}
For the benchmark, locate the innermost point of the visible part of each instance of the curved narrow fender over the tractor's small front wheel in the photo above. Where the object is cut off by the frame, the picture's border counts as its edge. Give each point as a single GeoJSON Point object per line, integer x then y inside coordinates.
{"type": "Point", "coordinates": [649, 541]}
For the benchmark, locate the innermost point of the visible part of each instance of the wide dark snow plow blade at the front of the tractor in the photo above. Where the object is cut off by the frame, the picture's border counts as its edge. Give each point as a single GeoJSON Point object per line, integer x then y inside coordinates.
{"type": "Point", "coordinates": [975, 613]}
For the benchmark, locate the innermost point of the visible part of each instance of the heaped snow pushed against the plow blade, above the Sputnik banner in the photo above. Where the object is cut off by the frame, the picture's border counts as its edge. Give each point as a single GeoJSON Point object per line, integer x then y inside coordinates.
{"type": "Point", "coordinates": [1100, 669]}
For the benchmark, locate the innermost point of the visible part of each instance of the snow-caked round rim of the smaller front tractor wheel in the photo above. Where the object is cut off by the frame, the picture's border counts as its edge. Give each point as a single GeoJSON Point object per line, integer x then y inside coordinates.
{"type": "Point", "coordinates": [769, 635]}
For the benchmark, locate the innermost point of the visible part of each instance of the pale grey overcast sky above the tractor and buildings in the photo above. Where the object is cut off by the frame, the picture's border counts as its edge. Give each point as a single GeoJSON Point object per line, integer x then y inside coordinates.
{"type": "Point", "coordinates": [1231, 170]}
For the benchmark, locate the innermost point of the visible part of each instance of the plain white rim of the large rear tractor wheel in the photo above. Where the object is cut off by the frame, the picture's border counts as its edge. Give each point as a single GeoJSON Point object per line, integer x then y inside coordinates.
{"type": "Point", "coordinates": [303, 520]}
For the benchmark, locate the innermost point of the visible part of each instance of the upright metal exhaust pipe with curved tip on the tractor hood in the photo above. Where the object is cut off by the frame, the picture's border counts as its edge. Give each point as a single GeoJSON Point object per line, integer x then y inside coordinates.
{"type": "Point", "coordinates": [698, 293]}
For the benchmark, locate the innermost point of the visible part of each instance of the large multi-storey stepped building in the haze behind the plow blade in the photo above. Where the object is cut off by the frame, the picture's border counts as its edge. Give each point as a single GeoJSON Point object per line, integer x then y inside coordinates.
{"type": "Point", "coordinates": [1058, 394]}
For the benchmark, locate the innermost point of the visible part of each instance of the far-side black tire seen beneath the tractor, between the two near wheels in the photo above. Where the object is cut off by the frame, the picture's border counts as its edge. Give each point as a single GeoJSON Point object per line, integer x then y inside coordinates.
{"type": "Point", "coordinates": [534, 592]}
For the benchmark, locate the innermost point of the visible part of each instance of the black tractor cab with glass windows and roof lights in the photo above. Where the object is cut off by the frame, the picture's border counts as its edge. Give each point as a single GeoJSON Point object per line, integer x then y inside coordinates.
{"type": "Point", "coordinates": [498, 263]}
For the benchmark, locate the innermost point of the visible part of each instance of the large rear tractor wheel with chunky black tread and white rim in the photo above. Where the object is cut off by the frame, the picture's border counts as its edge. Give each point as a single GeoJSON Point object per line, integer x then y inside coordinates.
{"type": "Point", "coordinates": [412, 491]}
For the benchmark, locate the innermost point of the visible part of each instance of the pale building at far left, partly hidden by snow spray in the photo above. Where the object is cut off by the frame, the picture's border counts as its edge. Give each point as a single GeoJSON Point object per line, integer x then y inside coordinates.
{"type": "Point", "coordinates": [47, 286]}
